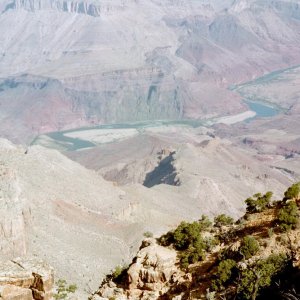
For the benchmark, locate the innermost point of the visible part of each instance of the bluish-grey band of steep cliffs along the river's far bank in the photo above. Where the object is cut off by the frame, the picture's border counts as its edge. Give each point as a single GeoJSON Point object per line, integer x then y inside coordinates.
{"type": "Point", "coordinates": [34, 105]}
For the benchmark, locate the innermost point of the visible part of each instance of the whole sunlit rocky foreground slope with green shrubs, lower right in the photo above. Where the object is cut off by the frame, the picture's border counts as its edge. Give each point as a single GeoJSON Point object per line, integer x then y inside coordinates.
{"type": "Point", "coordinates": [155, 273]}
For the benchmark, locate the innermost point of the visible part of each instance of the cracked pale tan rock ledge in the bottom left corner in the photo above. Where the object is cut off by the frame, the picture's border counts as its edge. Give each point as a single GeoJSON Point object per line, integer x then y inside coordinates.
{"type": "Point", "coordinates": [25, 279]}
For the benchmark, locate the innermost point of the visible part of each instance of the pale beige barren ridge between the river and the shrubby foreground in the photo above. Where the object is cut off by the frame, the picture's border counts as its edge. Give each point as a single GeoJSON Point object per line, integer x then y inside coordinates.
{"type": "Point", "coordinates": [50, 202]}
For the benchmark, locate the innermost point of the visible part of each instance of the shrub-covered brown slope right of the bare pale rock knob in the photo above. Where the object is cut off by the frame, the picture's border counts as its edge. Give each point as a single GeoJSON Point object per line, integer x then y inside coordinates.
{"type": "Point", "coordinates": [234, 262]}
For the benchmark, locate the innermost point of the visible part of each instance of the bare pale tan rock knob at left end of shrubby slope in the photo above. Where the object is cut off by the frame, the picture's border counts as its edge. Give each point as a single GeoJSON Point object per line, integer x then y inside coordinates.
{"type": "Point", "coordinates": [149, 276]}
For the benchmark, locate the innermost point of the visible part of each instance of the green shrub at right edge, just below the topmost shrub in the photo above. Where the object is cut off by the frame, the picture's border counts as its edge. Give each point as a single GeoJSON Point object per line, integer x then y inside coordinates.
{"type": "Point", "coordinates": [288, 216]}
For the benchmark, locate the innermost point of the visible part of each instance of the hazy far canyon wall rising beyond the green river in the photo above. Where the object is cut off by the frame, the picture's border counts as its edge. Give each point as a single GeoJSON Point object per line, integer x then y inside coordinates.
{"type": "Point", "coordinates": [120, 61]}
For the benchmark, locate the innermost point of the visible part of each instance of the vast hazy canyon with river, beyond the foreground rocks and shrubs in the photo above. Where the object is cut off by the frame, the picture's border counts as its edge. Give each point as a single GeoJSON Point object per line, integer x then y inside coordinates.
{"type": "Point", "coordinates": [127, 116]}
